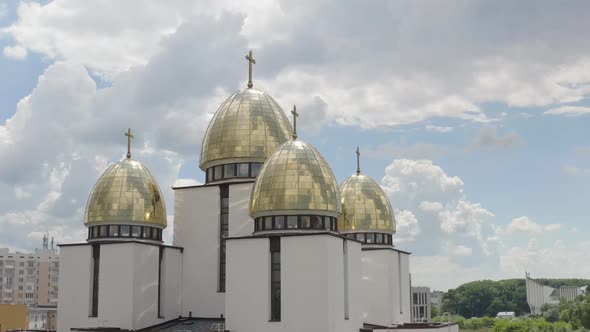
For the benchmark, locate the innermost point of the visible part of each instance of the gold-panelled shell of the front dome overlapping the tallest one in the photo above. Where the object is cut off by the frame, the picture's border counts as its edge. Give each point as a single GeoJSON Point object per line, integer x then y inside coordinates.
{"type": "Point", "coordinates": [296, 179]}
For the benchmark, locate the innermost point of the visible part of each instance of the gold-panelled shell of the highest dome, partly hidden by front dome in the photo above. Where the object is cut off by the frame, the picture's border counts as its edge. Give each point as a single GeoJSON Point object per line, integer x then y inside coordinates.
{"type": "Point", "coordinates": [247, 127]}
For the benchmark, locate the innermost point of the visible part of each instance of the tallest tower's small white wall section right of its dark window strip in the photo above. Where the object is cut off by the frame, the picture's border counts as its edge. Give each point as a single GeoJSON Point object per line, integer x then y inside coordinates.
{"type": "Point", "coordinates": [240, 223]}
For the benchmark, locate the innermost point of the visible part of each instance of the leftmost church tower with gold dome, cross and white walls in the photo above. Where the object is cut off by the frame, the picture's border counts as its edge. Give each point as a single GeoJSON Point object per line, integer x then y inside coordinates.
{"type": "Point", "coordinates": [123, 275]}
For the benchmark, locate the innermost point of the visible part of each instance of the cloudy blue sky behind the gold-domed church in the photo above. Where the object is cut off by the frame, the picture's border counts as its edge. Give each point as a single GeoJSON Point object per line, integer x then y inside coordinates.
{"type": "Point", "coordinates": [473, 115]}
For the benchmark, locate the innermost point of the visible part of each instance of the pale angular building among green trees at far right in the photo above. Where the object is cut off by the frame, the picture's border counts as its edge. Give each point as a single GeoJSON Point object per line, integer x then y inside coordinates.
{"type": "Point", "coordinates": [538, 294]}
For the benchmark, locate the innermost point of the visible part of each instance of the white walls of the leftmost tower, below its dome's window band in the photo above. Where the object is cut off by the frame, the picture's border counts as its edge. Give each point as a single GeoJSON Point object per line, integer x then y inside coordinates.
{"type": "Point", "coordinates": [127, 290]}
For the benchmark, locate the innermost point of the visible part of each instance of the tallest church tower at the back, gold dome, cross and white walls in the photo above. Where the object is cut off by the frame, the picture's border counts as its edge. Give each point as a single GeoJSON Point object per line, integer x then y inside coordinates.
{"type": "Point", "coordinates": [243, 132]}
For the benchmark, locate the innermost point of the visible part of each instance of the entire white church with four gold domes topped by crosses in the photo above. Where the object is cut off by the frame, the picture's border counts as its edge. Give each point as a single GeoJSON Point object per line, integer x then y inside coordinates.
{"type": "Point", "coordinates": [270, 242]}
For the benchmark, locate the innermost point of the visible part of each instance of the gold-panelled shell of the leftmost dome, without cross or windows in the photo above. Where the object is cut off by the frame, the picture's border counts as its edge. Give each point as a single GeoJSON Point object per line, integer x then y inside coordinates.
{"type": "Point", "coordinates": [126, 193]}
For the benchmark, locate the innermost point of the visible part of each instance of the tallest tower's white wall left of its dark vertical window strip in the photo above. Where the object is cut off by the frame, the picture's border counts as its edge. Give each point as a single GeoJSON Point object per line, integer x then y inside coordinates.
{"type": "Point", "coordinates": [196, 229]}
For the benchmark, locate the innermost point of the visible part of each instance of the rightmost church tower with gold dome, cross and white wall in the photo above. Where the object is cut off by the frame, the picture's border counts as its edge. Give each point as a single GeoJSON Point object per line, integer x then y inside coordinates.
{"type": "Point", "coordinates": [367, 216]}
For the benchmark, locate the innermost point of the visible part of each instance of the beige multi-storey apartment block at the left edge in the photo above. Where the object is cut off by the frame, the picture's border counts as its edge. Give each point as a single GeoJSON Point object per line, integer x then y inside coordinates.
{"type": "Point", "coordinates": [29, 279]}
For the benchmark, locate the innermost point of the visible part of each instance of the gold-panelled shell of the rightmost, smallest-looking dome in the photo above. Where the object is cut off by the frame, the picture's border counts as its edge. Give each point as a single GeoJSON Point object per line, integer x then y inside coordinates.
{"type": "Point", "coordinates": [365, 206]}
